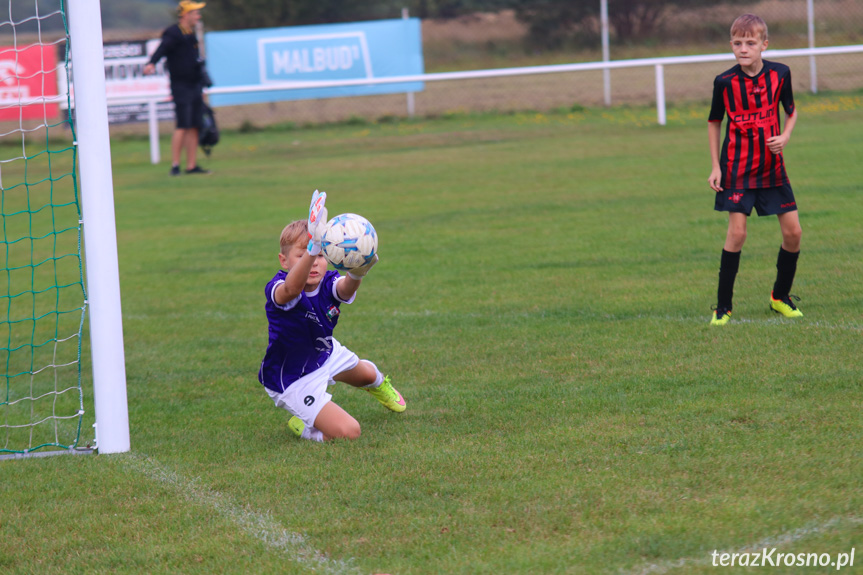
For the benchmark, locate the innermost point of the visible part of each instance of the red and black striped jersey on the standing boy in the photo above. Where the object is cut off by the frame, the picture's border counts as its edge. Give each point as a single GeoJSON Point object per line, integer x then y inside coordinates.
{"type": "Point", "coordinates": [752, 106]}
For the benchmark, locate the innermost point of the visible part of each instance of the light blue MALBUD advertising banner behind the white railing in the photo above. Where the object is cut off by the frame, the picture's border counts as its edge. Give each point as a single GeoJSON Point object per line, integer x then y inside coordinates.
{"type": "Point", "coordinates": [332, 52]}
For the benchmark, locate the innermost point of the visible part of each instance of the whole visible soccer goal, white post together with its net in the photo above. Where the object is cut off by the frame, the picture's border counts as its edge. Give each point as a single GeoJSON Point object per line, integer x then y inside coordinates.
{"type": "Point", "coordinates": [57, 202]}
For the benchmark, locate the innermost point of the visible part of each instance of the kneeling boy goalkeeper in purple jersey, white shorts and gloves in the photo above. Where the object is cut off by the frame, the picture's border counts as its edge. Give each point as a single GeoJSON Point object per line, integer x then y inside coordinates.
{"type": "Point", "coordinates": [303, 357]}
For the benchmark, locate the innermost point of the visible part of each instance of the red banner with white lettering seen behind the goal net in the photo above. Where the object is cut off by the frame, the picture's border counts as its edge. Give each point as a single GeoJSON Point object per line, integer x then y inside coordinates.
{"type": "Point", "coordinates": [26, 75]}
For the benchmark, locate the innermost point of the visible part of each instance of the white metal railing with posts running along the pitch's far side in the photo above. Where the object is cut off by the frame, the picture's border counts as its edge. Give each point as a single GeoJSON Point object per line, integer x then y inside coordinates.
{"type": "Point", "coordinates": [658, 64]}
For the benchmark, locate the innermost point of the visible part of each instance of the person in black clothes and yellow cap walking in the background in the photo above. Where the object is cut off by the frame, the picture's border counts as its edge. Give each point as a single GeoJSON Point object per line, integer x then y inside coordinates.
{"type": "Point", "coordinates": [180, 48]}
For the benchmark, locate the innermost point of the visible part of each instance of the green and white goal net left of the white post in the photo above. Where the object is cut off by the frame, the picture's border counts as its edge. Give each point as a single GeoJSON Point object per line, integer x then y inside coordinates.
{"type": "Point", "coordinates": [42, 298]}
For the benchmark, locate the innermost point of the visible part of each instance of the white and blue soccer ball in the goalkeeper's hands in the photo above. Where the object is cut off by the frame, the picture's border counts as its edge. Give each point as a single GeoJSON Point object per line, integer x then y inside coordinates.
{"type": "Point", "coordinates": [349, 241]}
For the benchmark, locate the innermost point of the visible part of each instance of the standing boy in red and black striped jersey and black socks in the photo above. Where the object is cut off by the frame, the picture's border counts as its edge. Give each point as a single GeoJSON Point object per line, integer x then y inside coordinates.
{"type": "Point", "coordinates": [748, 169]}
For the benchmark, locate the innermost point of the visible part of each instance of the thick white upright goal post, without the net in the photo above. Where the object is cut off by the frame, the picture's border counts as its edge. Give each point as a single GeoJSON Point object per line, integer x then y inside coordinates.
{"type": "Point", "coordinates": [100, 237]}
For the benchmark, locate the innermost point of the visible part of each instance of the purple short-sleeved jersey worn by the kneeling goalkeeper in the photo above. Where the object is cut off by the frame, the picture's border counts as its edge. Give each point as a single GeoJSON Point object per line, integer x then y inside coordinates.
{"type": "Point", "coordinates": [301, 332]}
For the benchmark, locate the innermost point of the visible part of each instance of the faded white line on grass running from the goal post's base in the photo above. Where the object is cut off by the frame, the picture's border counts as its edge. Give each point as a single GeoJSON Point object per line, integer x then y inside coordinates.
{"type": "Point", "coordinates": [257, 525]}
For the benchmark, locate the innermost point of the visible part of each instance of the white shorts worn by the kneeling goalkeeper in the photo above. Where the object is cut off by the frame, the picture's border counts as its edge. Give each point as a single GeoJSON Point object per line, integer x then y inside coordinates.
{"type": "Point", "coordinates": [307, 396]}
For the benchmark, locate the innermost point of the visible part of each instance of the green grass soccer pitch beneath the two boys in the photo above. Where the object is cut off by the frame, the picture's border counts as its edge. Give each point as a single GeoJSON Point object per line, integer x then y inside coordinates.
{"type": "Point", "coordinates": [542, 302]}
